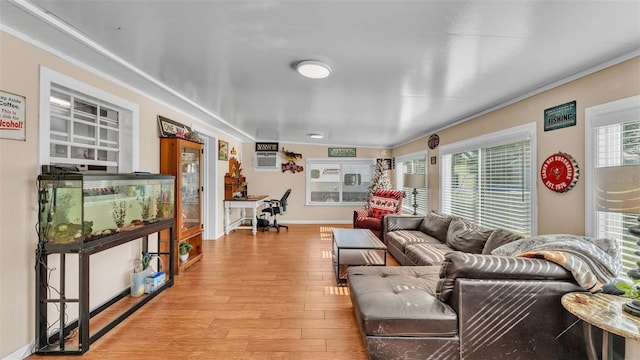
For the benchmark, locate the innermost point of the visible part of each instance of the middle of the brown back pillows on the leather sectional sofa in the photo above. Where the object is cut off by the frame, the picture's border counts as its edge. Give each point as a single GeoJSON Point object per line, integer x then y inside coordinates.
{"type": "Point", "coordinates": [466, 236]}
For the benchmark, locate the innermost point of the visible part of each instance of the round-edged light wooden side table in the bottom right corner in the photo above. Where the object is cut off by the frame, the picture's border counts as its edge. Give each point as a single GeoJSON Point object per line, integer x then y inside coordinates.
{"type": "Point", "coordinates": [605, 312]}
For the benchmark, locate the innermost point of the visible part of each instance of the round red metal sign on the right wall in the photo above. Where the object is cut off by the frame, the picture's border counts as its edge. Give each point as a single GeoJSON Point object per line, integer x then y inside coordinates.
{"type": "Point", "coordinates": [559, 172]}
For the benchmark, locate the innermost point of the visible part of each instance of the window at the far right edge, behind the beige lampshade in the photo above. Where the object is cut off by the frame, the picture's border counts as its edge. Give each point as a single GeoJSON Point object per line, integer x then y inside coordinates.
{"type": "Point", "coordinates": [613, 155]}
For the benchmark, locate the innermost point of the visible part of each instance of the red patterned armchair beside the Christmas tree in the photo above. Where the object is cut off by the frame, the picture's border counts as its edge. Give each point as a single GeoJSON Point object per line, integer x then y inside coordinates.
{"type": "Point", "coordinates": [382, 202]}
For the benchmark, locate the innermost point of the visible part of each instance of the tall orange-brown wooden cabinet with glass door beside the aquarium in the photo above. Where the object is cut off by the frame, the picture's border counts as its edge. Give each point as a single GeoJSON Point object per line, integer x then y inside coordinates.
{"type": "Point", "coordinates": [183, 159]}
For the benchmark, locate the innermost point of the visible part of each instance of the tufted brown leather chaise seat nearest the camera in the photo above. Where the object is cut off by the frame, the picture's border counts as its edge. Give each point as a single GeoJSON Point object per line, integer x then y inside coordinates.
{"type": "Point", "coordinates": [400, 301]}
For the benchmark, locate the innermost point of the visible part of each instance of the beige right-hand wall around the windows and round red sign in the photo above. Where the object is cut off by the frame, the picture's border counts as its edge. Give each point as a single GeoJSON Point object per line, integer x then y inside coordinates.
{"type": "Point", "coordinates": [557, 212]}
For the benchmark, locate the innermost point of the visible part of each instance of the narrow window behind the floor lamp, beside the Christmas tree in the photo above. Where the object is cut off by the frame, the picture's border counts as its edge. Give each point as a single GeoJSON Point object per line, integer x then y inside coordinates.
{"type": "Point", "coordinates": [412, 164]}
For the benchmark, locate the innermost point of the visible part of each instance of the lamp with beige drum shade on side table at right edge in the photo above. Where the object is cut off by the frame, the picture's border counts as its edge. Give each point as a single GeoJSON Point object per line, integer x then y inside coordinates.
{"type": "Point", "coordinates": [617, 190]}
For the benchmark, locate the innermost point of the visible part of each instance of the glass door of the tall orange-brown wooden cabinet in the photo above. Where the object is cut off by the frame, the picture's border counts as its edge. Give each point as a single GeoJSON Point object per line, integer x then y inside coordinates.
{"type": "Point", "coordinates": [189, 219]}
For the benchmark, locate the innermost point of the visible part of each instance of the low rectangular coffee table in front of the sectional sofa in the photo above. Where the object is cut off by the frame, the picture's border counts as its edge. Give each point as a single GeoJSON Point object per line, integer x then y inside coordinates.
{"type": "Point", "coordinates": [356, 247]}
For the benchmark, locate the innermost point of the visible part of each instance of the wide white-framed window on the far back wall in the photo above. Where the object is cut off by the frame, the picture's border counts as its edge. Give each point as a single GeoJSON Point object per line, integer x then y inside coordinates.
{"type": "Point", "coordinates": [332, 181]}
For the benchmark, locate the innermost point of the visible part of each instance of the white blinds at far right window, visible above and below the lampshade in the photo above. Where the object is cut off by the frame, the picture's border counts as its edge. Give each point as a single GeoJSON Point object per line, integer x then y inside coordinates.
{"type": "Point", "coordinates": [618, 145]}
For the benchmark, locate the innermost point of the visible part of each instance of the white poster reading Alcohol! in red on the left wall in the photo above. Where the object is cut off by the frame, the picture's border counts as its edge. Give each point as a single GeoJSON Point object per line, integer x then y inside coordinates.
{"type": "Point", "coordinates": [12, 116]}
